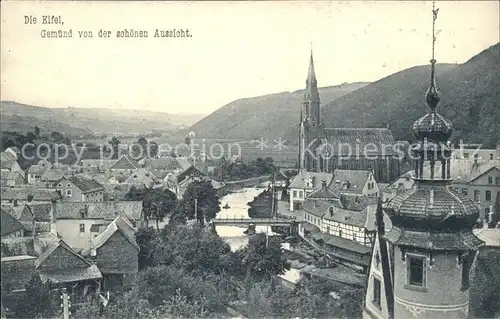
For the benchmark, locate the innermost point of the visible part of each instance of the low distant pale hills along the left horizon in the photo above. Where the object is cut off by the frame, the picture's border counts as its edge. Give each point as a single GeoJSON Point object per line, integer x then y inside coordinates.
{"type": "Point", "coordinates": [79, 121]}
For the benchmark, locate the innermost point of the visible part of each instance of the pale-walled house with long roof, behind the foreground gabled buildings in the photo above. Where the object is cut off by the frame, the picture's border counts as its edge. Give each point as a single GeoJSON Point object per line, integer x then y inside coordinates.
{"type": "Point", "coordinates": [79, 223]}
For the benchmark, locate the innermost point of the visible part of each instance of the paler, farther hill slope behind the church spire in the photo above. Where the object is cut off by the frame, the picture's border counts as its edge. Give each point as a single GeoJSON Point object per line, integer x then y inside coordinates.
{"type": "Point", "coordinates": [269, 116]}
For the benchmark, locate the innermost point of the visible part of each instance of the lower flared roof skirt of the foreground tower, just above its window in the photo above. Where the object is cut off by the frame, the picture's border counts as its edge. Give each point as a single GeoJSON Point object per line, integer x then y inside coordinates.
{"type": "Point", "coordinates": [464, 240]}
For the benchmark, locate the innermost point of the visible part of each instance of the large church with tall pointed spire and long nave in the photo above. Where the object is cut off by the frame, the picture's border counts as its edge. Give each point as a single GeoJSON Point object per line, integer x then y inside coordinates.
{"type": "Point", "coordinates": [324, 149]}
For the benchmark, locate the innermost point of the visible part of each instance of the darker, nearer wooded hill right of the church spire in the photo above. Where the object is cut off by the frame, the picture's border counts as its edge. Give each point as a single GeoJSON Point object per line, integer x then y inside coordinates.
{"type": "Point", "coordinates": [470, 98]}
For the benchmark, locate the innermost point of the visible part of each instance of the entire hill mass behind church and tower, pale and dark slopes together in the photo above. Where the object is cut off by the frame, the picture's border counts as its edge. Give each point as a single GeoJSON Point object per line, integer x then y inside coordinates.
{"type": "Point", "coordinates": [470, 99]}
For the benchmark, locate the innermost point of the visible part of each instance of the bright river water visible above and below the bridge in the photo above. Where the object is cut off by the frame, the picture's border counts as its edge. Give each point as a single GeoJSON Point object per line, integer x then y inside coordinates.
{"type": "Point", "coordinates": [239, 209]}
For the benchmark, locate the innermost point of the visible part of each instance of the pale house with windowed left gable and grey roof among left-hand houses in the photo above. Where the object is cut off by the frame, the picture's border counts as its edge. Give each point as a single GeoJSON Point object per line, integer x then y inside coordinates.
{"type": "Point", "coordinates": [77, 189]}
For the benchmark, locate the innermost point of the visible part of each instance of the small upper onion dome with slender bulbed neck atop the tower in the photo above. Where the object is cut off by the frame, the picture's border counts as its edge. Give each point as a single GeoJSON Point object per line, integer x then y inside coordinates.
{"type": "Point", "coordinates": [432, 126]}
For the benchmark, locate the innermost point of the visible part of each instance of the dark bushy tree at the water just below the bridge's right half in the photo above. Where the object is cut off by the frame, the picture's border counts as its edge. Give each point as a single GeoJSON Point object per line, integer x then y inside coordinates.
{"type": "Point", "coordinates": [264, 257]}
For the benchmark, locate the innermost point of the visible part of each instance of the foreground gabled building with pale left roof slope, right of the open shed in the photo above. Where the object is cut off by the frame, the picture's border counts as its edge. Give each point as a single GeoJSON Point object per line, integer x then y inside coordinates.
{"type": "Point", "coordinates": [116, 252]}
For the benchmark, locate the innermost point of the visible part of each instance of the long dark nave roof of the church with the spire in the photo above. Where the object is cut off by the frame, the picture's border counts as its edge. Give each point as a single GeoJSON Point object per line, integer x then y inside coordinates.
{"type": "Point", "coordinates": [369, 141]}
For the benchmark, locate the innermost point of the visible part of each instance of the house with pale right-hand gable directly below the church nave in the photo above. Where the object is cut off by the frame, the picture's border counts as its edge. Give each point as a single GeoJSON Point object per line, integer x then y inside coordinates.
{"type": "Point", "coordinates": [355, 182]}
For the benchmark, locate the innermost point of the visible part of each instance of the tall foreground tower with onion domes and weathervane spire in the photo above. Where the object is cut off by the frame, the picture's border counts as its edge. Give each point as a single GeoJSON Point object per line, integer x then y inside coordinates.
{"type": "Point", "coordinates": [420, 267]}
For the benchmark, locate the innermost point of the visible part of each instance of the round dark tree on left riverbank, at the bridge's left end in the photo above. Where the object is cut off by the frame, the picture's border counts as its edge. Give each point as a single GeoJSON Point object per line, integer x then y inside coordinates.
{"type": "Point", "coordinates": [208, 204]}
